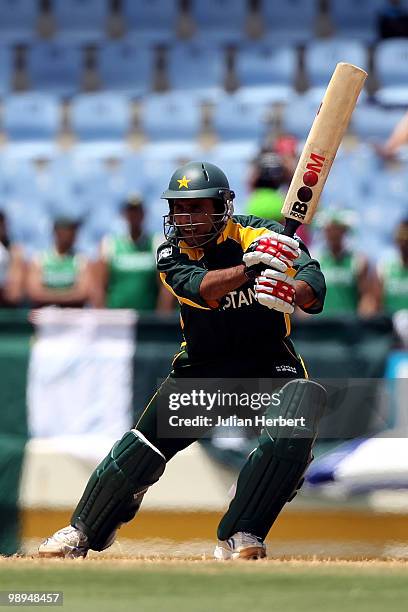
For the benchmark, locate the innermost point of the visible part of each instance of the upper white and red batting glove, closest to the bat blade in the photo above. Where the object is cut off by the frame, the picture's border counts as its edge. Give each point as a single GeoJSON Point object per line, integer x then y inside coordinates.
{"type": "Point", "coordinates": [272, 250]}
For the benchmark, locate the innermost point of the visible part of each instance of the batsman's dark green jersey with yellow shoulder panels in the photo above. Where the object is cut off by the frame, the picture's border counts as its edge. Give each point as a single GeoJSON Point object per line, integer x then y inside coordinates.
{"type": "Point", "coordinates": [237, 324]}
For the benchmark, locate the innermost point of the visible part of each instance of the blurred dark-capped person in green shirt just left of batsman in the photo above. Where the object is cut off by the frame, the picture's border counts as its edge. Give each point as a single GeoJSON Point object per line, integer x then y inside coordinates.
{"type": "Point", "coordinates": [125, 274]}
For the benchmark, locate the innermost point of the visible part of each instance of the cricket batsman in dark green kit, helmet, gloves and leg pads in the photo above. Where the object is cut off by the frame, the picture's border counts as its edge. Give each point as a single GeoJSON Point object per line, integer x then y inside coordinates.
{"type": "Point", "coordinates": [237, 280]}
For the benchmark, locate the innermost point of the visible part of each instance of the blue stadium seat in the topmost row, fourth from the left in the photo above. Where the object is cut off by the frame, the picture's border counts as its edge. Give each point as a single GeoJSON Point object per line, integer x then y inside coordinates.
{"type": "Point", "coordinates": [220, 21]}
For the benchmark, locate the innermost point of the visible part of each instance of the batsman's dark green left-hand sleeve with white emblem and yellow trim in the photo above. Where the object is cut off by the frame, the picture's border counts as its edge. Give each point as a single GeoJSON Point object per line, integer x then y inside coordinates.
{"type": "Point", "coordinates": [181, 276]}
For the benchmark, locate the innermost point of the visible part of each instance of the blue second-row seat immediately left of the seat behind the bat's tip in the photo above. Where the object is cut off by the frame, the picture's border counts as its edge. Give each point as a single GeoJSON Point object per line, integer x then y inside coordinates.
{"type": "Point", "coordinates": [265, 74]}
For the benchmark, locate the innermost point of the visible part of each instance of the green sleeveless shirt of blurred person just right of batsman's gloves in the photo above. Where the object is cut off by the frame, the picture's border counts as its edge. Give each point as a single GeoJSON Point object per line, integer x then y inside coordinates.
{"type": "Point", "coordinates": [341, 276]}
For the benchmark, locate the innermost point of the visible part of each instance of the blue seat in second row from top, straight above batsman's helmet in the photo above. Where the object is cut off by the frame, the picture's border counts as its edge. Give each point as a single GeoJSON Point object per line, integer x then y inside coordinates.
{"type": "Point", "coordinates": [192, 66]}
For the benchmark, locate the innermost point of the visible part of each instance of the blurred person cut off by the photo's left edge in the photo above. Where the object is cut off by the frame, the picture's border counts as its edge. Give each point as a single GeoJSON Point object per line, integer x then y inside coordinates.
{"type": "Point", "coordinates": [12, 269]}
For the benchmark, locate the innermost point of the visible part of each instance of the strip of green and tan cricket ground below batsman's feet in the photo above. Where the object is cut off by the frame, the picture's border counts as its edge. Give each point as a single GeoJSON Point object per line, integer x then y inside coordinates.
{"type": "Point", "coordinates": [199, 585]}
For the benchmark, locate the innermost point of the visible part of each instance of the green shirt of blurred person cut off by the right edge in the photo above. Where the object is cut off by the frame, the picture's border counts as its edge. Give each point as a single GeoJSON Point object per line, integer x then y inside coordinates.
{"type": "Point", "coordinates": [394, 276]}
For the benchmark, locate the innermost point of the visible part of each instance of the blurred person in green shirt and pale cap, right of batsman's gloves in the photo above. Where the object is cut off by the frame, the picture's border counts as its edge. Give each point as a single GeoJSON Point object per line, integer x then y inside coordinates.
{"type": "Point", "coordinates": [349, 288]}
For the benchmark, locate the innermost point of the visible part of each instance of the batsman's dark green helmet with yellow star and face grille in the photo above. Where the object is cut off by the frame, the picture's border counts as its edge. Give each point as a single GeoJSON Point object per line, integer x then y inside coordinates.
{"type": "Point", "coordinates": [198, 180]}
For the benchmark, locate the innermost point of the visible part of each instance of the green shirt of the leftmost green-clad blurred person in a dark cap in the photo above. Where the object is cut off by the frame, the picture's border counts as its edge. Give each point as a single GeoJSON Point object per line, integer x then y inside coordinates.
{"type": "Point", "coordinates": [60, 271]}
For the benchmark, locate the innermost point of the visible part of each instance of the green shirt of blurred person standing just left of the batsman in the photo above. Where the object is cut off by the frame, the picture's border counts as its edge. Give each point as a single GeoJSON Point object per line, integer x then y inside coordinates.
{"type": "Point", "coordinates": [132, 276]}
